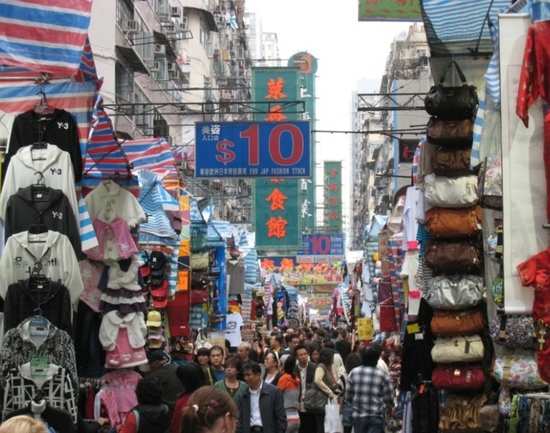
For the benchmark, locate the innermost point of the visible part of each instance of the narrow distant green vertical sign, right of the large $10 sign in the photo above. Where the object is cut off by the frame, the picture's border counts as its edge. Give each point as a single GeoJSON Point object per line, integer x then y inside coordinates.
{"type": "Point", "coordinates": [333, 195]}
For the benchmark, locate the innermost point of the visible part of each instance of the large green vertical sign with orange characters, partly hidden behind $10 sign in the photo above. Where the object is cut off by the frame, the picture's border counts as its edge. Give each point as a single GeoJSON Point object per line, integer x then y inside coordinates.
{"type": "Point", "coordinates": [276, 201]}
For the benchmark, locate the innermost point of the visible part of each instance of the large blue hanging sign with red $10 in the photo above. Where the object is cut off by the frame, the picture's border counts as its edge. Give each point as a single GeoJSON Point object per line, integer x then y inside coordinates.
{"type": "Point", "coordinates": [252, 149]}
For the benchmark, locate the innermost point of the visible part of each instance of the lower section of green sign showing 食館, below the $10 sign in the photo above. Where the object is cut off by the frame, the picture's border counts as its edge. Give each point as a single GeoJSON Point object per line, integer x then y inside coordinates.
{"type": "Point", "coordinates": [277, 208]}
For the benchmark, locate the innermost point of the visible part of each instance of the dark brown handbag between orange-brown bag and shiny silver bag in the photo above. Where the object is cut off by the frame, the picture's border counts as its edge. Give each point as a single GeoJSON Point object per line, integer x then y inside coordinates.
{"type": "Point", "coordinates": [453, 258]}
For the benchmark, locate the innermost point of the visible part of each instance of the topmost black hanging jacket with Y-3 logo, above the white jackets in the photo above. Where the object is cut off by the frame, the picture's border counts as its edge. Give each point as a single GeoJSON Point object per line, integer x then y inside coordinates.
{"type": "Point", "coordinates": [58, 128]}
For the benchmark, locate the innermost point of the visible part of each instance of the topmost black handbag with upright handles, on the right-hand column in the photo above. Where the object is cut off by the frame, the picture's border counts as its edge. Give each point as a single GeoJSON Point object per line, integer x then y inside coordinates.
{"type": "Point", "coordinates": [452, 103]}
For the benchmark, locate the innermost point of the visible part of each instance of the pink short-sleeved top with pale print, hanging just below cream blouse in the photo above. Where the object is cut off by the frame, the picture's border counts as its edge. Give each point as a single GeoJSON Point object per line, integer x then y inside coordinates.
{"type": "Point", "coordinates": [115, 241]}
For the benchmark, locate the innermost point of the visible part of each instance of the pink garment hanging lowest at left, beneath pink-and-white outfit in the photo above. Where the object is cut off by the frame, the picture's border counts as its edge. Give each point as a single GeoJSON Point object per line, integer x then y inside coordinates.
{"type": "Point", "coordinates": [118, 395]}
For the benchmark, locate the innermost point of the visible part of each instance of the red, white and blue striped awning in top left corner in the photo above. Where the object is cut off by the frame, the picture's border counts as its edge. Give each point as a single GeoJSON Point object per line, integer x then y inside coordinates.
{"type": "Point", "coordinates": [44, 36]}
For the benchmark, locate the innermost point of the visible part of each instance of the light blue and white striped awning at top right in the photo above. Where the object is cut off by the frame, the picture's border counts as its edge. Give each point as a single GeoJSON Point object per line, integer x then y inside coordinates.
{"type": "Point", "coordinates": [460, 27]}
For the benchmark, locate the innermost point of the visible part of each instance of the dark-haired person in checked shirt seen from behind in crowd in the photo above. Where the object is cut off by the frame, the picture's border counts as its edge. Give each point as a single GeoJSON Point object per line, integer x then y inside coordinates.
{"type": "Point", "coordinates": [370, 394]}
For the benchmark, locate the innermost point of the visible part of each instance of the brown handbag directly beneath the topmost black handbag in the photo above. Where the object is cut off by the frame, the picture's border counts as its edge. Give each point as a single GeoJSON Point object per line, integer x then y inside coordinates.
{"type": "Point", "coordinates": [456, 134]}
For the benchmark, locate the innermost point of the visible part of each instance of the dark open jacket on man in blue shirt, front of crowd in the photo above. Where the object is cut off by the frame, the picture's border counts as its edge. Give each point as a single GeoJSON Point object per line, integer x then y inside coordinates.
{"type": "Point", "coordinates": [272, 410]}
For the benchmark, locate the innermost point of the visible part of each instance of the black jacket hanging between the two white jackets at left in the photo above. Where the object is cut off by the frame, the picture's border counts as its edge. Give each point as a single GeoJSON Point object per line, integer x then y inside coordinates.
{"type": "Point", "coordinates": [53, 210]}
